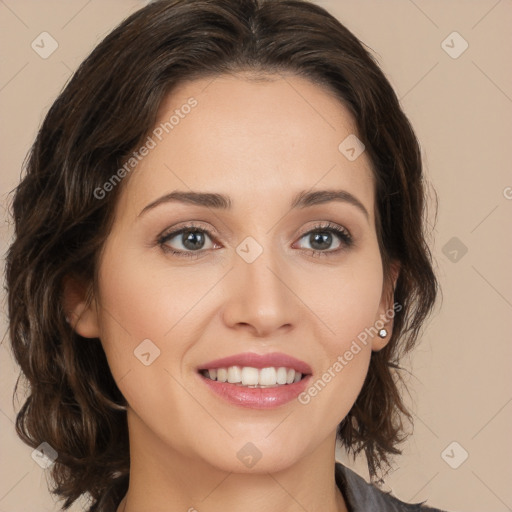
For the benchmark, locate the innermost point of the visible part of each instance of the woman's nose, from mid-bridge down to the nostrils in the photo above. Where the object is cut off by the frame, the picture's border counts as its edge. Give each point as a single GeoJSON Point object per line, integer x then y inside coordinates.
{"type": "Point", "coordinates": [259, 297]}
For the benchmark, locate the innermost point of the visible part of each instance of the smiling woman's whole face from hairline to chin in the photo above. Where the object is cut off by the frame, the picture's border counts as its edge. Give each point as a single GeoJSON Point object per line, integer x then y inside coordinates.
{"type": "Point", "coordinates": [272, 267]}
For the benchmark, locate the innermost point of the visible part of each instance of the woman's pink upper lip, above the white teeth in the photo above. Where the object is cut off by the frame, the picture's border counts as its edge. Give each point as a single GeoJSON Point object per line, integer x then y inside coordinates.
{"type": "Point", "coordinates": [275, 359]}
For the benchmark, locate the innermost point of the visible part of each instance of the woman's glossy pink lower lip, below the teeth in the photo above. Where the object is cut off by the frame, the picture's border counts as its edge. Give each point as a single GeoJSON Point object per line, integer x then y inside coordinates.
{"type": "Point", "coordinates": [257, 398]}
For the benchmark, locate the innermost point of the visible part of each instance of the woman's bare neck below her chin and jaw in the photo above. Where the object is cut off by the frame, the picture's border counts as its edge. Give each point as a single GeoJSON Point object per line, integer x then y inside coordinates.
{"type": "Point", "coordinates": [163, 478]}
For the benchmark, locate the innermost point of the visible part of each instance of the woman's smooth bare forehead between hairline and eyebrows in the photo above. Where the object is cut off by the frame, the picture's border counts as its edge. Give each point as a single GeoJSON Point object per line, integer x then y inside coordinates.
{"type": "Point", "coordinates": [256, 141]}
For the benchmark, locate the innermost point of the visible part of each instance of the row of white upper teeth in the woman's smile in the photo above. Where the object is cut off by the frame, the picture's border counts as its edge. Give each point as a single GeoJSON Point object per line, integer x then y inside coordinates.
{"type": "Point", "coordinates": [254, 377]}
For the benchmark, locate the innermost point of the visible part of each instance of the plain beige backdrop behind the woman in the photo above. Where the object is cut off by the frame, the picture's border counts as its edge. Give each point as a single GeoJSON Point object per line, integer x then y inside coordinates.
{"type": "Point", "coordinates": [461, 109]}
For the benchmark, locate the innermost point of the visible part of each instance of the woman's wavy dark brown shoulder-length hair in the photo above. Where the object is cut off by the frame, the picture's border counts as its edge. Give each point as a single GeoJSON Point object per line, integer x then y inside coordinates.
{"type": "Point", "coordinates": [102, 115]}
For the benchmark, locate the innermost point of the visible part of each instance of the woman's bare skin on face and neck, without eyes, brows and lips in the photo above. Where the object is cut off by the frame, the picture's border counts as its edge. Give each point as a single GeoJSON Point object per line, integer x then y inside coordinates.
{"type": "Point", "coordinates": [259, 143]}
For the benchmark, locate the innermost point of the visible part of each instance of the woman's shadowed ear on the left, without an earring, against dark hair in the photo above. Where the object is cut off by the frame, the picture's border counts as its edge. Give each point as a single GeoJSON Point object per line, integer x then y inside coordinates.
{"type": "Point", "coordinates": [80, 307]}
